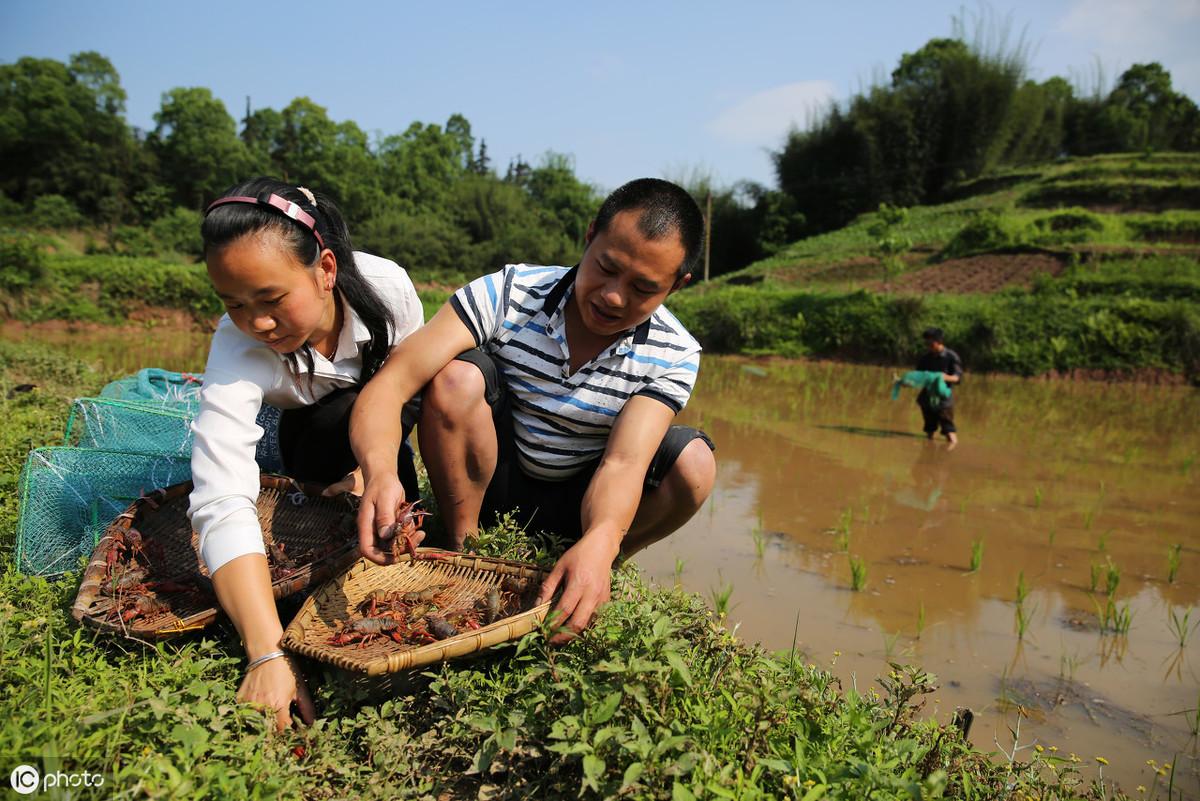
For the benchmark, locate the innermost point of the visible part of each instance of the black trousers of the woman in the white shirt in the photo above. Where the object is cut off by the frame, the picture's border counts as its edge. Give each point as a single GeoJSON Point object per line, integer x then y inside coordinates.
{"type": "Point", "coordinates": [315, 443]}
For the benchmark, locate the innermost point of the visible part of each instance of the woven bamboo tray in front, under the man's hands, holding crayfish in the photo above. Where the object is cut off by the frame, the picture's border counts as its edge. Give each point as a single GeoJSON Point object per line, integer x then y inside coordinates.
{"type": "Point", "coordinates": [464, 580]}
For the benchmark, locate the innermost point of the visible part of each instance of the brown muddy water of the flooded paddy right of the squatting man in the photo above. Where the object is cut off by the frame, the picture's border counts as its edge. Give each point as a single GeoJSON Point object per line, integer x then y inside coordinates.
{"type": "Point", "coordinates": [1052, 478]}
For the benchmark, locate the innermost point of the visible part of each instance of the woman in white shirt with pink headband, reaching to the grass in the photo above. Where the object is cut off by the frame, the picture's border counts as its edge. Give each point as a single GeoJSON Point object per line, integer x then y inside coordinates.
{"type": "Point", "coordinates": [309, 322]}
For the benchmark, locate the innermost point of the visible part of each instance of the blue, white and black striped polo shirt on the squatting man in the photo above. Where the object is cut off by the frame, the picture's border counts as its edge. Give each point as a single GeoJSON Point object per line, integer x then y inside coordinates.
{"type": "Point", "coordinates": [561, 421]}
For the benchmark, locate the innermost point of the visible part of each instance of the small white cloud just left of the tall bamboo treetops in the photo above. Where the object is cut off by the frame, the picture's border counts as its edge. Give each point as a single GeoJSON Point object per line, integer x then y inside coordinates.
{"type": "Point", "coordinates": [764, 118]}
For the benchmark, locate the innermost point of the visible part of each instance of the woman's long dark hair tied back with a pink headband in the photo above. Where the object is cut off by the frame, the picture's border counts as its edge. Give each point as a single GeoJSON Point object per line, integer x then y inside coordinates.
{"type": "Point", "coordinates": [231, 222]}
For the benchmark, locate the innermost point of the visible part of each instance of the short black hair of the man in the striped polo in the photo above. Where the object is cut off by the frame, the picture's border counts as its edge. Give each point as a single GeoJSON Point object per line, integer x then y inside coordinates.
{"type": "Point", "coordinates": [665, 209]}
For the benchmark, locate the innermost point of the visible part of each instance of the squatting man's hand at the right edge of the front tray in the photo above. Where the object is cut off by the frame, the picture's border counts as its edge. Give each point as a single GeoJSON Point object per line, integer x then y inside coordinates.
{"type": "Point", "coordinates": [585, 574]}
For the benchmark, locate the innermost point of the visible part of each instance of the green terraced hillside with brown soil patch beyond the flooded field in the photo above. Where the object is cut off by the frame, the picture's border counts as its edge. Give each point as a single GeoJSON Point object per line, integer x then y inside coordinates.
{"type": "Point", "coordinates": [1089, 264]}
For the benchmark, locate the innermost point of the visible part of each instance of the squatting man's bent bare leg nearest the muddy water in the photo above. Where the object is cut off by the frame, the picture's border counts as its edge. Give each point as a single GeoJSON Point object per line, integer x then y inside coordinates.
{"type": "Point", "coordinates": [685, 490]}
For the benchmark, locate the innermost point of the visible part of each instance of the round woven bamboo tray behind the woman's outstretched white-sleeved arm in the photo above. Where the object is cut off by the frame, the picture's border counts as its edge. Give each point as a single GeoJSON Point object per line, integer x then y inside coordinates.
{"type": "Point", "coordinates": [298, 525]}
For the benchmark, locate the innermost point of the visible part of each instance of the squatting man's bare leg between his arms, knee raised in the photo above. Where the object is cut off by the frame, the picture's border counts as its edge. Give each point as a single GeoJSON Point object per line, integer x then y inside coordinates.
{"type": "Point", "coordinates": [458, 441]}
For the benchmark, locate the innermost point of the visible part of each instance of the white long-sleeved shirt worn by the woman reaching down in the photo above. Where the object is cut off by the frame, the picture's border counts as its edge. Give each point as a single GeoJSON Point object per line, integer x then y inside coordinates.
{"type": "Point", "coordinates": [241, 377]}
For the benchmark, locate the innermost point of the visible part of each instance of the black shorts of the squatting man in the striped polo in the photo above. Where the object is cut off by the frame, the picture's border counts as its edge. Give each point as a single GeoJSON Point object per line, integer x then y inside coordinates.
{"type": "Point", "coordinates": [551, 507]}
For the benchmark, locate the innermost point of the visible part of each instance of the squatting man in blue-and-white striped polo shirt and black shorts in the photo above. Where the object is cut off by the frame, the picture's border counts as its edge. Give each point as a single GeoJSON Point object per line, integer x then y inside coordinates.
{"type": "Point", "coordinates": [551, 392]}
